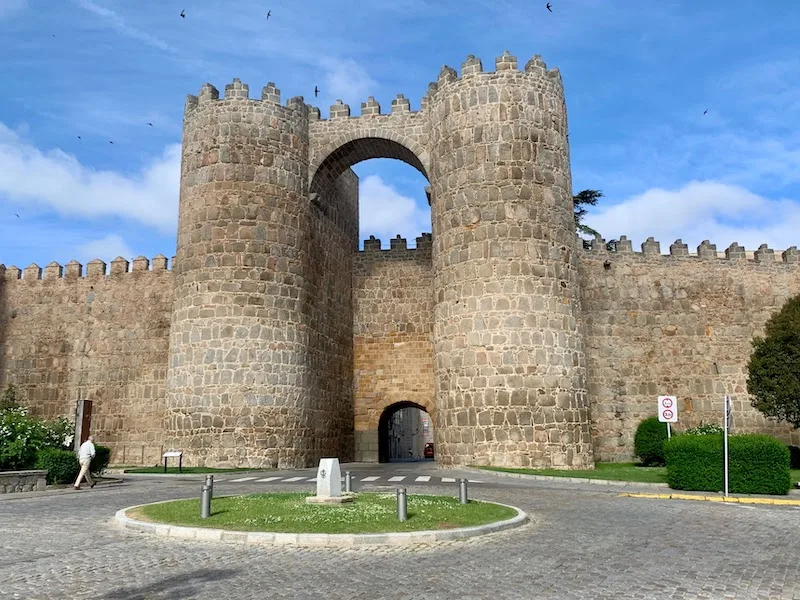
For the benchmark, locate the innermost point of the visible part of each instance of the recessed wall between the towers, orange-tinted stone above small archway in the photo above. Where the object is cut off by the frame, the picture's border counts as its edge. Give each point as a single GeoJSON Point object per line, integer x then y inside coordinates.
{"type": "Point", "coordinates": [393, 325]}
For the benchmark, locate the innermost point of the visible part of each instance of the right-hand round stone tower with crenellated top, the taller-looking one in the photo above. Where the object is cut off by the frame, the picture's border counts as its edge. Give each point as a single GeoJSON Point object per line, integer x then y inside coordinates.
{"type": "Point", "coordinates": [509, 360]}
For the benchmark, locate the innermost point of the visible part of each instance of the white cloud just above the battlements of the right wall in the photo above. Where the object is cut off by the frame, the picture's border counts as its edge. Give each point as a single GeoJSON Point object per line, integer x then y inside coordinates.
{"type": "Point", "coordinates": [719, 212]}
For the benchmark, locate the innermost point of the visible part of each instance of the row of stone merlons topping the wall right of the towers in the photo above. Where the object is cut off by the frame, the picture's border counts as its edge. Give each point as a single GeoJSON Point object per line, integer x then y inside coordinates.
{"type": "Point", "coordinates": [705, 251]}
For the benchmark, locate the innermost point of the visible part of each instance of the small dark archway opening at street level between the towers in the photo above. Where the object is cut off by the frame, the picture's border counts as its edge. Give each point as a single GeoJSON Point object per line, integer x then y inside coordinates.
{"type": "Point", "coordinates": [405, 430]}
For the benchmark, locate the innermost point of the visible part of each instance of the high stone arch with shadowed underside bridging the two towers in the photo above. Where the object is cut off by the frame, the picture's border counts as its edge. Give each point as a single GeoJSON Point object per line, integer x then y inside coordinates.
{"type": "Point", "coordinates": [354, 147]}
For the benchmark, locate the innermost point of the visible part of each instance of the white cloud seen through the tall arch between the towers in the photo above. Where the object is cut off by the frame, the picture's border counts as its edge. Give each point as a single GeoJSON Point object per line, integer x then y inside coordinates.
{"type": "Point", "coordinates": [384, 212]}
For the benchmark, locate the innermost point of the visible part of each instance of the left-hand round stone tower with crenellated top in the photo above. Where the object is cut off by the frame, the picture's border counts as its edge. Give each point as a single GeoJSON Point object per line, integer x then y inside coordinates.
{"type": "Point", "coordinates": [242, 371]}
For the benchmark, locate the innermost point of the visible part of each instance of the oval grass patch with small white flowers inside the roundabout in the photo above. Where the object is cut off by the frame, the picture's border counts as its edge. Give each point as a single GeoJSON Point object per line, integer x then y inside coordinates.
{"type": "Point", "coordinates": [289, 513]}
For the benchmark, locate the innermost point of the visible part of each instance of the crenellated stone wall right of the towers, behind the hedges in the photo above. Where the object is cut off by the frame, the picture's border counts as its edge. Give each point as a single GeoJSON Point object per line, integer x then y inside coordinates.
{"type": "Point", "coordinates": [678, 325]}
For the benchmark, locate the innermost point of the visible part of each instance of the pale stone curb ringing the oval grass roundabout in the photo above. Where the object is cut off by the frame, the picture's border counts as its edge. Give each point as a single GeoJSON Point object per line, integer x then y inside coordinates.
{"type": "Point", "coordinates": [337, 540]}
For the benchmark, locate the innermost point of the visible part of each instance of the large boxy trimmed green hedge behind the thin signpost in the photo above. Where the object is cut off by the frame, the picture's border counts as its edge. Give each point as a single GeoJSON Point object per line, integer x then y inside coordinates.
{"type": "Point", "coordinates": [758, 464]}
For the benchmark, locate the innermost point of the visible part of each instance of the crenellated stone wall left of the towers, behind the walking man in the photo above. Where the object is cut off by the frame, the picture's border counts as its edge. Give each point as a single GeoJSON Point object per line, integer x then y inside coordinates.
{"type": "Point", "coordinates": [101, 337]}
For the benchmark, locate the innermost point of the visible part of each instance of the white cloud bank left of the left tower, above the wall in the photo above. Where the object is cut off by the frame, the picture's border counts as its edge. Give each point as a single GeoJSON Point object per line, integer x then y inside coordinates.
{"type": "Point", "coordinates": [57, 180]}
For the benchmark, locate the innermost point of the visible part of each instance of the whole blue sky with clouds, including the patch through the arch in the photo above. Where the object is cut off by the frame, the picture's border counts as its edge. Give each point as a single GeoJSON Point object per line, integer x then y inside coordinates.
{"type": "Point", "coordinates": [638, 77]}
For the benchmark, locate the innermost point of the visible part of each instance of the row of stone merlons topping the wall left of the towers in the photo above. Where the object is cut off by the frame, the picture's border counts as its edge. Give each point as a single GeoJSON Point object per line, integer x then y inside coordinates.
{"type": "Point", "coordinates": [94, 268]}
